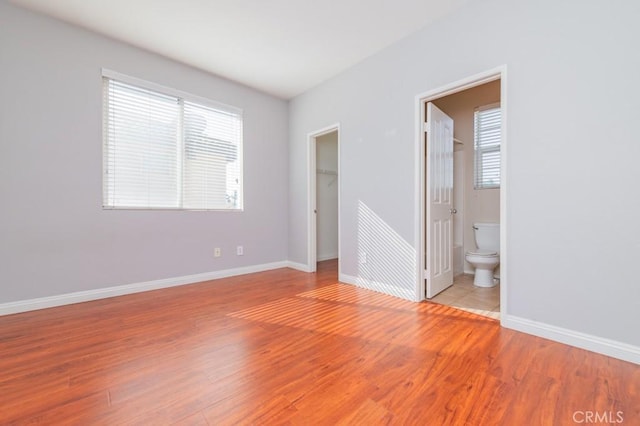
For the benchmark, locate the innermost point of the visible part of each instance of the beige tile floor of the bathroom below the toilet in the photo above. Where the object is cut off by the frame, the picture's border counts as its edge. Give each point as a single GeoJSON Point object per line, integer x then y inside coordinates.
{"type": "Point", "coordinates": [464, 295]}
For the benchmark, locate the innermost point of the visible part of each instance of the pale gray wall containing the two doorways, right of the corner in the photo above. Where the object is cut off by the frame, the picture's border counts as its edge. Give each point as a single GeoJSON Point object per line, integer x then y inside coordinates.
{"type": "Point", "coordinates": [572, 89]}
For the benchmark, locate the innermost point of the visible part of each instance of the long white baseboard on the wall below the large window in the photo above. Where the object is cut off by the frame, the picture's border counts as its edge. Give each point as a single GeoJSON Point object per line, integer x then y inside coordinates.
{"type": "Point", "coordinates": [103, 293]}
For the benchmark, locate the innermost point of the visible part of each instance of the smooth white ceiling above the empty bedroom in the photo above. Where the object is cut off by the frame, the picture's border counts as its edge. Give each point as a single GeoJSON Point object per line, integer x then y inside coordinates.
{"type": "Point", "coordinates": [282, 47]}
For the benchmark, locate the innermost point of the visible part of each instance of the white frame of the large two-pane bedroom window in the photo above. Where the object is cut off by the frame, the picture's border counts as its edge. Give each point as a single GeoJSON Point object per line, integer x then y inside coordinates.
{"type": "Point", "coordinates": [182, 97]}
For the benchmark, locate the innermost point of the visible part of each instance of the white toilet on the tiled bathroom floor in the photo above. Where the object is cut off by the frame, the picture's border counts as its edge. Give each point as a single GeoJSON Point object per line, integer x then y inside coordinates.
{"type": "Point", "coordinates": [487, 256]}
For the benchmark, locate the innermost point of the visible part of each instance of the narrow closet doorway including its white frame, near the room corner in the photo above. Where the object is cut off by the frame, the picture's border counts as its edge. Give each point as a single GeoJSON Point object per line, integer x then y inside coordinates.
{"type": "Point", "coordinates": [324, 196]}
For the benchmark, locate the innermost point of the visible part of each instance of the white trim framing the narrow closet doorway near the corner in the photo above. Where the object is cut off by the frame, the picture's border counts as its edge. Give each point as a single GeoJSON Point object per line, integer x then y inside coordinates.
{"type": "Point", "coordinates": [312, 256]}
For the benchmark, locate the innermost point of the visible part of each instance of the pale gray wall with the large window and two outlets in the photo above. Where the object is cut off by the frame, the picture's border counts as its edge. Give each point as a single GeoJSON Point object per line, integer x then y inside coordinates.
{"type": "Point", "coordinates": [54, 236]}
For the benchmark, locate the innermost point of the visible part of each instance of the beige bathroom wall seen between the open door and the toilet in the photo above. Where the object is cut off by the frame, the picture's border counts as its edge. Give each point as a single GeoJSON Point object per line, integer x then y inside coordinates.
{"type": "Point", "coordinates": [479, 205]}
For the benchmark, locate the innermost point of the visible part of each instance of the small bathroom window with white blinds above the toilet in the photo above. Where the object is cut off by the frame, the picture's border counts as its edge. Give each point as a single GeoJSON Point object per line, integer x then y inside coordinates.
{"type": "Point", "coordinates": [486, 142]}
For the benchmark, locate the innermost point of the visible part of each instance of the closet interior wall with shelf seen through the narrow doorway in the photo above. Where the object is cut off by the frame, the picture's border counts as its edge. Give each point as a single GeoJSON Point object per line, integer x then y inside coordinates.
{"type": "Point", "coordinates": [327, 197]}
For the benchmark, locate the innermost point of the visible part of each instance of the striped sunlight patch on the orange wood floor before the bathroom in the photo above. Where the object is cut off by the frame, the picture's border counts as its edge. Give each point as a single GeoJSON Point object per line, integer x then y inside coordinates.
{"type": "Point", "coordinates": [350, 311]}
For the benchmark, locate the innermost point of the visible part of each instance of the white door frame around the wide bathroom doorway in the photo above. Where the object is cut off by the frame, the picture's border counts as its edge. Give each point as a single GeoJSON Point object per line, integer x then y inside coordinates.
{"type": "Point", "coordinates": [499, 73]}
